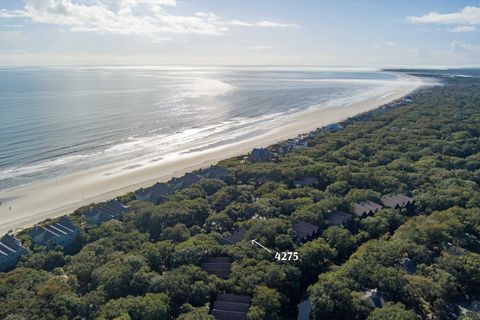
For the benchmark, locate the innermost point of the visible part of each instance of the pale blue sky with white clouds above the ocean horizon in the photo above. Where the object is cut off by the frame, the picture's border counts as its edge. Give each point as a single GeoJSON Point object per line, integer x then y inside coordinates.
{"type": "Point", "coordinates": [380, 33]}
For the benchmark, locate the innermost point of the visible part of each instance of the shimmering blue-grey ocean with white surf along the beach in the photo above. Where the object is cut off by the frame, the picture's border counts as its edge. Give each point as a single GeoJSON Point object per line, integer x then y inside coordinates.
{"type": "Point", "coordinates": [57, 121]}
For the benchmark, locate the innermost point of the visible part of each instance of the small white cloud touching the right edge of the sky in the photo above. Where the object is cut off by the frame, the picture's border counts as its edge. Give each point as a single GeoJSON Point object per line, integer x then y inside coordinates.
{"type": "Point", "coordinates": [468, 16]}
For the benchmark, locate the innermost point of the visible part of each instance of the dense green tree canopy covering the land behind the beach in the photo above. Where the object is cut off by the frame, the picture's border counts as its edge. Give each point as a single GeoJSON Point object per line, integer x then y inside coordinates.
{"type": "Point", "coordinates": [147, 264]}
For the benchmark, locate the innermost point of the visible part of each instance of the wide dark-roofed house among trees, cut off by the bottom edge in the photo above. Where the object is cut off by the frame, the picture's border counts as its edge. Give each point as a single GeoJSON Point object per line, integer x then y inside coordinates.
{"type": "Point", "coordinates": [231, 307]}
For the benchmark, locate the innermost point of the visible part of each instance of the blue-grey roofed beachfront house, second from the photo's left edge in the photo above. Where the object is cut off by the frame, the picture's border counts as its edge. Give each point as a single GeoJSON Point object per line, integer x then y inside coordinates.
{"type": "Point", "coordinates": [62, 233]}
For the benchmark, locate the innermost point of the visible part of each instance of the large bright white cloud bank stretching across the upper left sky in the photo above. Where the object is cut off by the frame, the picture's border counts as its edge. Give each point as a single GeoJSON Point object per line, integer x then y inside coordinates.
{"type": "Point", "coordinates": [127, 17]}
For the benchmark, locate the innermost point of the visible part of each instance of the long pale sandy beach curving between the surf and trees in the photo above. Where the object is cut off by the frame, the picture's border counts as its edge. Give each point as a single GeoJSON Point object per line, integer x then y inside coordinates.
{"type": "Point", "coordinates": [30, 204]}
